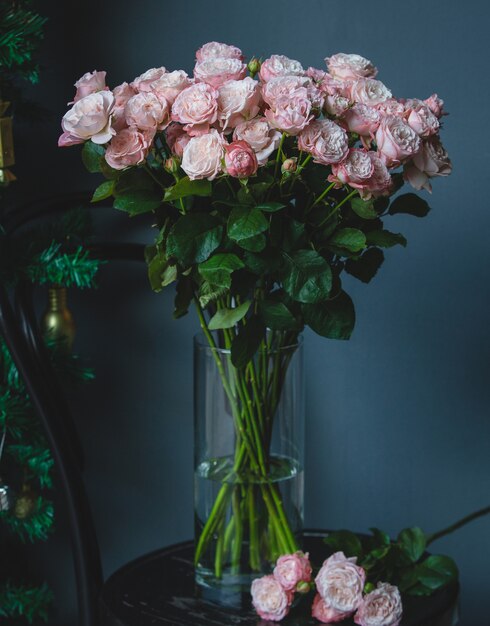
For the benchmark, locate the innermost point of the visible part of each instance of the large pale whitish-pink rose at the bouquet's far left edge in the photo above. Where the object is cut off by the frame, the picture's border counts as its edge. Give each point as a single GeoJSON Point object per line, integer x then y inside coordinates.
{"type": "Point", "coordinates": [90, 118]}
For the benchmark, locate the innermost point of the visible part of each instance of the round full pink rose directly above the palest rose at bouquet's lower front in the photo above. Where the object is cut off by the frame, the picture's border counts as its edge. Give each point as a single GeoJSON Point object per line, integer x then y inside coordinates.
{"type": "Point", "coordinates": [196, 107]}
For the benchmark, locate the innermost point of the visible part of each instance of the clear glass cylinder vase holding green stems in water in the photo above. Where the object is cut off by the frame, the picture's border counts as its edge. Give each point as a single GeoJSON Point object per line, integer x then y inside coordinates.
{"type": "Point", "coordinates": [249, 453]}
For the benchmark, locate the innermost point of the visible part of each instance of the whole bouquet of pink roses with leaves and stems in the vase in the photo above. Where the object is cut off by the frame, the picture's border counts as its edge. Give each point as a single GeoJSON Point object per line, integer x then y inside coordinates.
{"type": "Point", "coordinates": [266, 183]}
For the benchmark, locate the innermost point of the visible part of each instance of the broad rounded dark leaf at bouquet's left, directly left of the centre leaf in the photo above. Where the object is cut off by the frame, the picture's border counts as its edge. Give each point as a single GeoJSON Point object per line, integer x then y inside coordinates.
{"type": "Point", "coordinates": [193, 238]}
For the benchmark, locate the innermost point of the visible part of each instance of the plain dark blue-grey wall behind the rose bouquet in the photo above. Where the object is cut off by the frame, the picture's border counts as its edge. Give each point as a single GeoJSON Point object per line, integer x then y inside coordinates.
{"type": "Point", "coordinates": [397, 429]}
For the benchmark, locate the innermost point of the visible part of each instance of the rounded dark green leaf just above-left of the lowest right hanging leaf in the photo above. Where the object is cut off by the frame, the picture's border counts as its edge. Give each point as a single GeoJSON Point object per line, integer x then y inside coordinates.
{"type": "Point", "coordinates": [307, 276]}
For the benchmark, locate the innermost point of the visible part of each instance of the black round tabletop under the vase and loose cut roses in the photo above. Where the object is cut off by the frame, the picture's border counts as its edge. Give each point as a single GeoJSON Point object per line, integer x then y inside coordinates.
{"type": "Point", "coordinates": [159, 589]}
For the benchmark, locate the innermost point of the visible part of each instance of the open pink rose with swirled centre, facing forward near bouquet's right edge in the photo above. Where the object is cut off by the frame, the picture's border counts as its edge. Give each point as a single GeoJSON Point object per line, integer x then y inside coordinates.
{"type": "Point", "coordinates": [396, 141]}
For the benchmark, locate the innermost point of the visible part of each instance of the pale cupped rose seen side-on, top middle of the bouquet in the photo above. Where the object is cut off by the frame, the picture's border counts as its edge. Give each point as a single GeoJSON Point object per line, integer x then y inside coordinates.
{"type": "Point", "coordinates": [238, 100]}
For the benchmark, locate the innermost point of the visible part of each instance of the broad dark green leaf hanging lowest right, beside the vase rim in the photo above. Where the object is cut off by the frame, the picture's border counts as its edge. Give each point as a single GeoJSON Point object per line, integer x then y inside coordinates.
{"type": "Point", "coordinates": [334, 318]}
